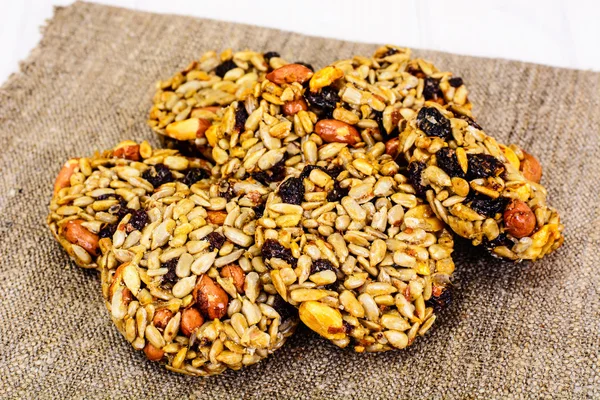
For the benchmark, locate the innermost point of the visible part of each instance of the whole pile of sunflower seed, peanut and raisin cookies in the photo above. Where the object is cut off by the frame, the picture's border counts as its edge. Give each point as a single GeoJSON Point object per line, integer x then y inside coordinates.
{"type": "Point", "coordinates": [284, 194]}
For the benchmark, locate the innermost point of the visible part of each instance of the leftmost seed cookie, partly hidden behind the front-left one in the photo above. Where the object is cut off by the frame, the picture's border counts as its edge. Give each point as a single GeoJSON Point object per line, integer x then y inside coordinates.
{"type": "Point", "coordinates": [92, 193]}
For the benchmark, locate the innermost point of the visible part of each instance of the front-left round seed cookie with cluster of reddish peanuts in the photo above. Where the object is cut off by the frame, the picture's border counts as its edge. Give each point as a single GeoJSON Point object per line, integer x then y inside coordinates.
{"type": "Point", "coordinates": [187, 286]}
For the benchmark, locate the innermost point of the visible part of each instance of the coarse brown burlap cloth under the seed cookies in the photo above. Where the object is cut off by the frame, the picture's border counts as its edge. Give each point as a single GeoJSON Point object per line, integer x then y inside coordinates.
{"type": "Point", "coordinates": [526, 330]}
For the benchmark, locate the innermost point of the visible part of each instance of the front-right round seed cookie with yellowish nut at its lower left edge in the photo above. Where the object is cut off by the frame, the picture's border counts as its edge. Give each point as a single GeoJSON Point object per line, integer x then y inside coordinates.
{"type": "Point", "coordinates": [370, 263]}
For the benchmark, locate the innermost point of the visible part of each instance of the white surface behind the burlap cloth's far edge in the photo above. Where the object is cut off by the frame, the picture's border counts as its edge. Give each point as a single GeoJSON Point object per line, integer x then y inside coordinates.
{"type": "Point", "coordinates": [563, 33]}
